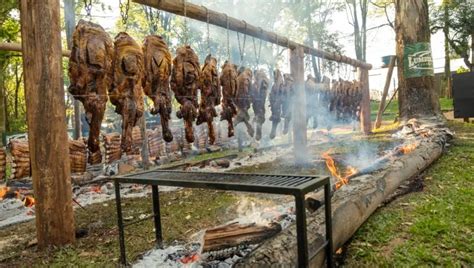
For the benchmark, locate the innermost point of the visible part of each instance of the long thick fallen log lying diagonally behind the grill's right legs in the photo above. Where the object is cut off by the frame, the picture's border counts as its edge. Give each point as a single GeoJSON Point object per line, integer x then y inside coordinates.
{"type": "Point", "coordinates": [351, 205]}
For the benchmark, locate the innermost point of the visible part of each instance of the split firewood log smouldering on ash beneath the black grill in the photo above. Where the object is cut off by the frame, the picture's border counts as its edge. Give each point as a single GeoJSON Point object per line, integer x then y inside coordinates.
{"type": "Point", "coordinates": [235, 234]}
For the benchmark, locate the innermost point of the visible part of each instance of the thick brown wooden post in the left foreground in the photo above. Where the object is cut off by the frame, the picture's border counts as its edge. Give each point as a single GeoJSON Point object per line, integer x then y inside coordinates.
{"type": "Point", "coordinates": [46, 118]}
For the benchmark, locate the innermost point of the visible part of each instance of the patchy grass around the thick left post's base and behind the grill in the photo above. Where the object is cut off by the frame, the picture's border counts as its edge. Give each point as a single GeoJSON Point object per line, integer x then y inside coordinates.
{"type": "Point", "coordinates": [183, 213]}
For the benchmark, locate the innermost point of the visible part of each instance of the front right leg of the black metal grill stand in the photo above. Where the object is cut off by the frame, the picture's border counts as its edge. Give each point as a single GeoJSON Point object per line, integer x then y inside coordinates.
{"type": "Point", "coordinates": [301, 235]}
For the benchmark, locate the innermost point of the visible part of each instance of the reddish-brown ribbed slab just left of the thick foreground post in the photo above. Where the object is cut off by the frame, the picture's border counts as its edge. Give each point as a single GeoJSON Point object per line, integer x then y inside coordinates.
{"type": "Point", "coordinates": [21, 159]}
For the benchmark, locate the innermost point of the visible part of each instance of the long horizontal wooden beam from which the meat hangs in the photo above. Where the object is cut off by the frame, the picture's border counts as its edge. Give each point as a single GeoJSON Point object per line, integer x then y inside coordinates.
{"type": "Point", "coordinates": [222, 20]}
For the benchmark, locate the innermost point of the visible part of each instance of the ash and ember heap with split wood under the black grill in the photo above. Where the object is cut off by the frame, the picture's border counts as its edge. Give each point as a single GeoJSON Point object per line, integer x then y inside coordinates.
{"type": "Point", "coordinates": [224, 245]}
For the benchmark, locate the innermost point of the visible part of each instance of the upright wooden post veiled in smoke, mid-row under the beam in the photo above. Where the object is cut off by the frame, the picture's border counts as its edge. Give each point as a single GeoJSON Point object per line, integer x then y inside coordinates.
{"type": "Point", "coordinates": [299, 109]}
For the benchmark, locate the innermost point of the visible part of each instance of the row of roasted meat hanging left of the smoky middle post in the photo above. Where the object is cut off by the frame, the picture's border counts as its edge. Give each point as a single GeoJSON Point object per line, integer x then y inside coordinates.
{"type": "Point", "coordinates": [122, 70]}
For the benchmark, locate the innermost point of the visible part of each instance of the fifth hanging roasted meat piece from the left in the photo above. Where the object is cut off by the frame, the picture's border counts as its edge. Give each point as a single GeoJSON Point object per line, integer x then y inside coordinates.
{"type": "Point", "coordinates": [210, 95]}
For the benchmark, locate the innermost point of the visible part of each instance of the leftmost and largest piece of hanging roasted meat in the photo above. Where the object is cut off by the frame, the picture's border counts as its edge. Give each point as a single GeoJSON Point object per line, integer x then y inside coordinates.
{"type": "Point", "coordinates": [91, 73]}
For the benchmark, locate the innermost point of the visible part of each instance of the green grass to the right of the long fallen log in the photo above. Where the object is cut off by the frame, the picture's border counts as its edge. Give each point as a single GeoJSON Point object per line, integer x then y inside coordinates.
{"type": "Point", "coordinates": [433, 227]}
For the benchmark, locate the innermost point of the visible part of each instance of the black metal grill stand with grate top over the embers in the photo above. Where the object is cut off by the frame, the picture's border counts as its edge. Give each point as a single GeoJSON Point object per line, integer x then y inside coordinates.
{"type": "Point", "coordinates": [298, 186]}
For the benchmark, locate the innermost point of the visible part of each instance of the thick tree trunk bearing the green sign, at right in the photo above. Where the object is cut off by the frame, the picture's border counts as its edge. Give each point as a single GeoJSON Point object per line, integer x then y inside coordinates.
{"type": "Point", "coordinates": [417, 96]}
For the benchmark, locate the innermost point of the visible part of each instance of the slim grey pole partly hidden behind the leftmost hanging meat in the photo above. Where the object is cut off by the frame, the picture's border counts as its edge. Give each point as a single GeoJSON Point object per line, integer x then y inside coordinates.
{"type": "Point", "coordinates": [70, 20]}
